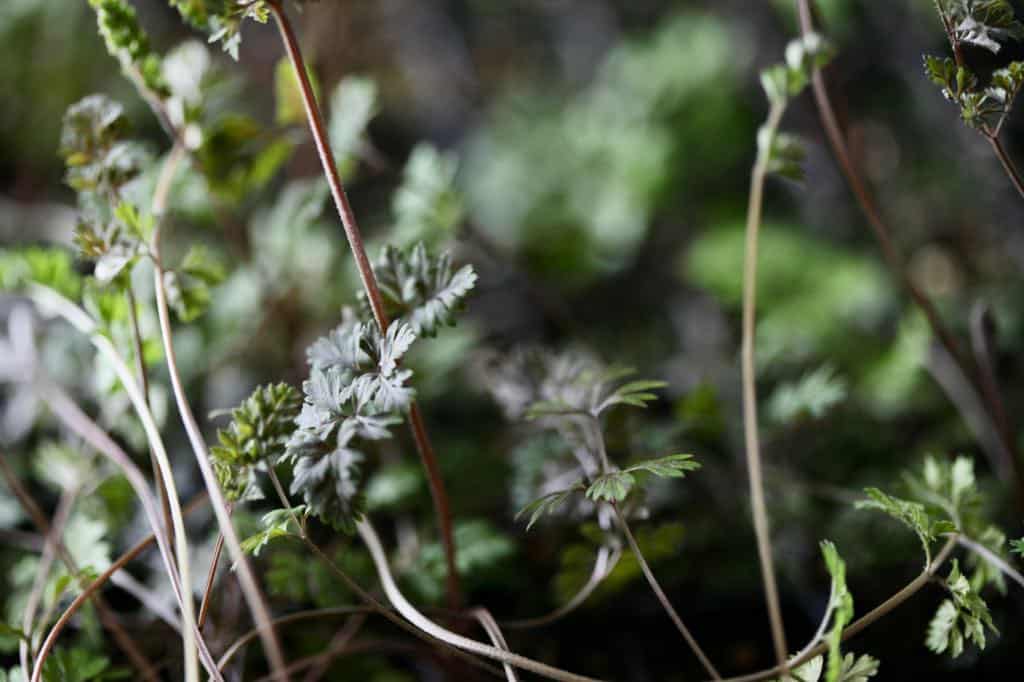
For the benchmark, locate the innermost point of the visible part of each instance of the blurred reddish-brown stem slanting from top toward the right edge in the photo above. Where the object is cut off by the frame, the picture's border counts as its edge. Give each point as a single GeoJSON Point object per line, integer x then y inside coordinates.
{"type": "Point", "coordinates": [890, 253]}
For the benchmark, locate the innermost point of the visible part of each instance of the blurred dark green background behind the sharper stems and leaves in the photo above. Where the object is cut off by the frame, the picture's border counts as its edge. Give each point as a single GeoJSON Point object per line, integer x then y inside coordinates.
{"type": "Point", "coordinates": [605, 152]}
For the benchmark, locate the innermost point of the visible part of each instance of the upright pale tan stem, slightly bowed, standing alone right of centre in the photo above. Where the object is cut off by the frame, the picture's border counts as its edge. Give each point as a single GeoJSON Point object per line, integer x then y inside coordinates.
{"type": "Point", "coordinates": [750, 385]}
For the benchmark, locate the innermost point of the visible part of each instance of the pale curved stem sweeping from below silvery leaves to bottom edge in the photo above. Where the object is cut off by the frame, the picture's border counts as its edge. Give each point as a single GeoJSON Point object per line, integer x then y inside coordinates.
{"type": "Point", "coordinates": [410, 613]}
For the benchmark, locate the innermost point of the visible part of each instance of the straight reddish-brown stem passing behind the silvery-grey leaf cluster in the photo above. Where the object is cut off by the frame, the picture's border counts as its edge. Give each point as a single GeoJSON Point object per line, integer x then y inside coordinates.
{"type": "Point", "coordinates": [369, 280]}
